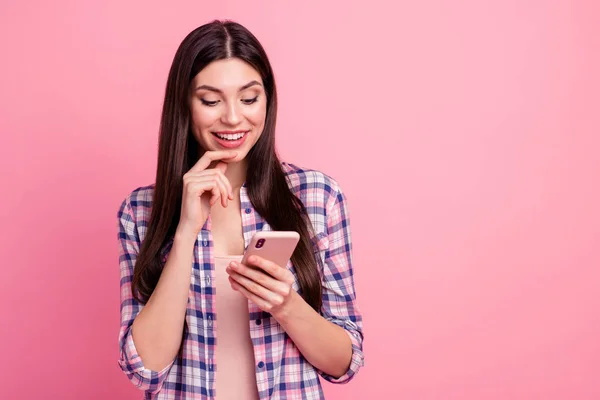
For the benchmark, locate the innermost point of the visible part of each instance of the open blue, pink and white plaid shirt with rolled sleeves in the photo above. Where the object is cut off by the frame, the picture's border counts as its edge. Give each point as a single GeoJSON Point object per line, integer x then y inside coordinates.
{"type": "Point", "coordinates": [281, 370]}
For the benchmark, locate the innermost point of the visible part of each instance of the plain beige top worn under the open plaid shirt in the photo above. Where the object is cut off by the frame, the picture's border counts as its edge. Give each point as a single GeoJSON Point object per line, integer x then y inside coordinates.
{"type": "Point", "coordinates": [235, 370]}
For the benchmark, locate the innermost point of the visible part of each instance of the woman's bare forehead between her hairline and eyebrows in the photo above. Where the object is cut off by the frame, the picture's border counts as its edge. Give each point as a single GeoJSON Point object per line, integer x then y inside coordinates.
{"type": "Point", "coordinates": [228, 74]}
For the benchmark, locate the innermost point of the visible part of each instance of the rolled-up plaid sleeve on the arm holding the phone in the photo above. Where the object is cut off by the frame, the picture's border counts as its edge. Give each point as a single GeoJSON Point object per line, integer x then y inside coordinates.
{"type": "Point", "coordinates": [339, 297]}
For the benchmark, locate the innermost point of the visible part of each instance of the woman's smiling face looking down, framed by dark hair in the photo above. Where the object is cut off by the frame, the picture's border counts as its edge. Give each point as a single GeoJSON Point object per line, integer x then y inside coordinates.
{"type": "Point", "coordinates": [228, 107]}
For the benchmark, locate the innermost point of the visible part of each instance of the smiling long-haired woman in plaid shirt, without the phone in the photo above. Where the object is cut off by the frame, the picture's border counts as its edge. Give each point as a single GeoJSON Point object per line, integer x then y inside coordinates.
{"type": "Point", "coordinates": [195, 323]}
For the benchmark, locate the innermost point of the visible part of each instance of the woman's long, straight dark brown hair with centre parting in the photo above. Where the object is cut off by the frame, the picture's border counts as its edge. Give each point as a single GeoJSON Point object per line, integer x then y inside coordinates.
{"type": "Point", "coordinates": [178, 151]}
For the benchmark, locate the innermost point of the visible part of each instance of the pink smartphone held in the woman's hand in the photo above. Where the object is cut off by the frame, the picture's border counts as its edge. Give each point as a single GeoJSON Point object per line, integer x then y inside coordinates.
{"type": "Point", "coordinates": [275, 246]}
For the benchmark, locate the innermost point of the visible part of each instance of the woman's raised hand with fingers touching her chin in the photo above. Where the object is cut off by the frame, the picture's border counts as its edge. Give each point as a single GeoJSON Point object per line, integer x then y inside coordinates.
{"type": "Point", "coordinates": [202, 188]}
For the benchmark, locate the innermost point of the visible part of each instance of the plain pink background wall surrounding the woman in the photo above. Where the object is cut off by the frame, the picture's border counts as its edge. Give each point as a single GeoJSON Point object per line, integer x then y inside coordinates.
{"type": "Point", "coordinates": [465, 134]}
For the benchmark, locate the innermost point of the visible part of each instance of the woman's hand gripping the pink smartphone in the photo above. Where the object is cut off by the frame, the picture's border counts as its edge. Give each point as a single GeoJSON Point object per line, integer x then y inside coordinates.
{"type": "Point", "coordinates": [265, 283]}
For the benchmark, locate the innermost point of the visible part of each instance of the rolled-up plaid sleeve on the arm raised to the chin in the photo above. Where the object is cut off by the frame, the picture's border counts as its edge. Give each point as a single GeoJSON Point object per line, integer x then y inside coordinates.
{"type": "Point", "coordinates": [129, 360]}
